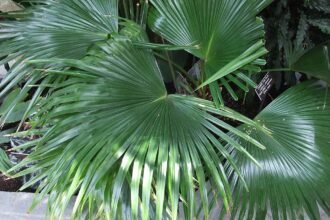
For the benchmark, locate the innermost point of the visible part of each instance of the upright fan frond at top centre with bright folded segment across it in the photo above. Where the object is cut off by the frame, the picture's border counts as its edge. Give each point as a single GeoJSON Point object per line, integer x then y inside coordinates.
{"type": "Point", "coordinates": [227, 36]}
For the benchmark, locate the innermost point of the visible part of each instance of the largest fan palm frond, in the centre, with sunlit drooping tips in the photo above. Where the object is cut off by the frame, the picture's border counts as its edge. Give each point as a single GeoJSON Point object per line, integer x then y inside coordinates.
{"type": "Point", "coordinates": [115, 136]}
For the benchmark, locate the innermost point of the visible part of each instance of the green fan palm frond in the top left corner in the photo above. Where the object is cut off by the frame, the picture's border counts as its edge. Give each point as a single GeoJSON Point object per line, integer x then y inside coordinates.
{"type": "Point", "coordinates": [62, 29]}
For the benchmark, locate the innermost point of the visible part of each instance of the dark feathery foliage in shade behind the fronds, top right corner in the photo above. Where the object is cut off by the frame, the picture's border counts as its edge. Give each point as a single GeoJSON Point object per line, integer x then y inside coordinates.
{"type": "Point", "coordinates": [287, 21]}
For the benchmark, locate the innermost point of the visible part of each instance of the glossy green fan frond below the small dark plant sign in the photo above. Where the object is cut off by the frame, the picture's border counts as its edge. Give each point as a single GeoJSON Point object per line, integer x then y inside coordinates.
{"type": "Point", "coordinates": [295, 174]}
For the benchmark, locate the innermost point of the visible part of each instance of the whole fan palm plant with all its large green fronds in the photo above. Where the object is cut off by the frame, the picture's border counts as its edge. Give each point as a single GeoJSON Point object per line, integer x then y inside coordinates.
{"type": "Point", "coordinates": [109, 132]}
